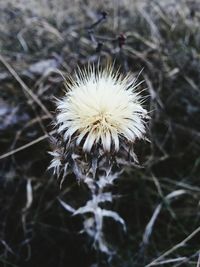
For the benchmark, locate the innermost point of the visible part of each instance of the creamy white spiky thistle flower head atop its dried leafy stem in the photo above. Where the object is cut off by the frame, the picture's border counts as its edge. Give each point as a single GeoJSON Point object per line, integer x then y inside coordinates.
{"type": "Point", "coordinates": [100, 109]}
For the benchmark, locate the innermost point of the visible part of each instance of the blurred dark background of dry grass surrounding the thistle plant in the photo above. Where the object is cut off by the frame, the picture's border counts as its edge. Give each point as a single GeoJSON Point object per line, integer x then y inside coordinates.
{"type": "Point", "coordinates": [40, 42]}
